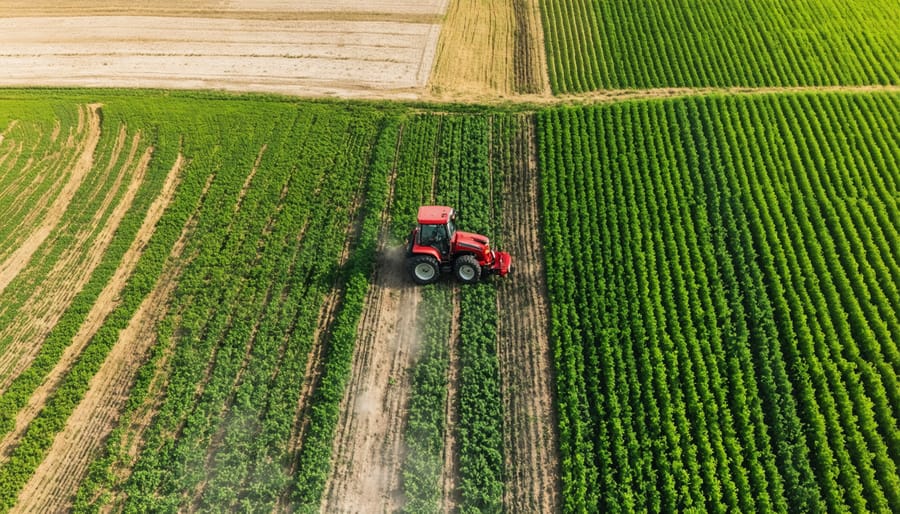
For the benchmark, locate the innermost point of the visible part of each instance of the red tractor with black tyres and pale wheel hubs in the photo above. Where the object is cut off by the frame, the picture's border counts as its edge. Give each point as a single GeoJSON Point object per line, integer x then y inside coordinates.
{"type": "Point", "coordinates": [436, 246]}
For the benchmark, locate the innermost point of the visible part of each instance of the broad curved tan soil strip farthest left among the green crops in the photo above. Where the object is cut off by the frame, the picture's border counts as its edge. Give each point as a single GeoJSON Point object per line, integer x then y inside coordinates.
{"type": "Point", "coordinates": [13, 264]}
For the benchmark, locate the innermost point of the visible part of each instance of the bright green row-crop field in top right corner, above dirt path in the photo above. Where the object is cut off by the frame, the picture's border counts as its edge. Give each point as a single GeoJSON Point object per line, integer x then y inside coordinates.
{"type": "Point", "coordinates": [610, 44]}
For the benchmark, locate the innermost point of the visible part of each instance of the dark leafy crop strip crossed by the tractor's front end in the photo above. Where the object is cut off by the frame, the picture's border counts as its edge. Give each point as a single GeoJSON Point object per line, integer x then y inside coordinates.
{"type": "Point", "coordinates": [465, 180]}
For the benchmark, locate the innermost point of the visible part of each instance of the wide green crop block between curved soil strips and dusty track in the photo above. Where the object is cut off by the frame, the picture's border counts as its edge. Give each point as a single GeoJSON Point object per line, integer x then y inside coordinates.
{"type": "Point", "coordinates": [272, 203]}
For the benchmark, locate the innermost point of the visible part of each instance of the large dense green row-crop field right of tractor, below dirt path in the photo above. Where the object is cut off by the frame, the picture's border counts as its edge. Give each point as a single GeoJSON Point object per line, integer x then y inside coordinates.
{"type": "Point", "coordinates": [706, 263]}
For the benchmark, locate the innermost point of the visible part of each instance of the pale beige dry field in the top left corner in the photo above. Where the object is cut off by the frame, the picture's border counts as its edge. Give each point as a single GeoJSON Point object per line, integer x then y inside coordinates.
{"type": "Point", "coordinates": [318, 48]}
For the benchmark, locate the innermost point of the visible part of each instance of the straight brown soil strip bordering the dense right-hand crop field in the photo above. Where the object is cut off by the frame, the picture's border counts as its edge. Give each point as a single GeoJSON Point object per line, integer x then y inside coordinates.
{"type": "Point", "coordinates": [530, 441]}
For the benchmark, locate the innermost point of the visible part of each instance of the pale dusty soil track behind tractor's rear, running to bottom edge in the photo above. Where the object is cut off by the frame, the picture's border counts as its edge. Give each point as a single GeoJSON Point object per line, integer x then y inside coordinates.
{"type": "Point", "coordinates": [368, 448]}
